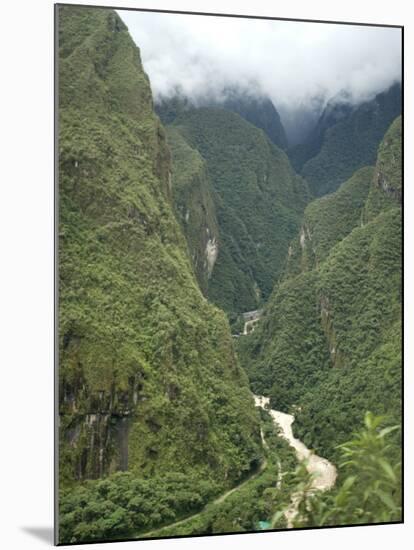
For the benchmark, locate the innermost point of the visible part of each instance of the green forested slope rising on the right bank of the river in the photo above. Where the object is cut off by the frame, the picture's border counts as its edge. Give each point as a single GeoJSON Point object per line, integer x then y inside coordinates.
{"type": "Point", "coordinates": [330, 339]}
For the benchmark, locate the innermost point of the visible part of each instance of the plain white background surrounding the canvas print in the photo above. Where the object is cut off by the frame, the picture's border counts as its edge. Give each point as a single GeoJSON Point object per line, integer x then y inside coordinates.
{"type": "Point", "coordinates": [26, 273]}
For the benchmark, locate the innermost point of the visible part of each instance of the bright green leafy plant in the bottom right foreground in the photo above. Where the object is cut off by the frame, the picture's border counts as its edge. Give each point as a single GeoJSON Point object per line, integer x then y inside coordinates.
{"type": "Point", "coordinates": [369, 488]}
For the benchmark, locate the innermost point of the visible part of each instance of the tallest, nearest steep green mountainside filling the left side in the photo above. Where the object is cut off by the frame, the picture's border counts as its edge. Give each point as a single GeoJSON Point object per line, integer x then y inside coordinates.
{"type": "Point", "coordinates": [148, 379]}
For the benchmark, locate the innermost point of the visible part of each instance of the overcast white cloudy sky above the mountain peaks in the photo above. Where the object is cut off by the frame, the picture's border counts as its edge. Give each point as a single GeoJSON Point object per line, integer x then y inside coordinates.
{"type": "Point", "coordinates": [290, 61]}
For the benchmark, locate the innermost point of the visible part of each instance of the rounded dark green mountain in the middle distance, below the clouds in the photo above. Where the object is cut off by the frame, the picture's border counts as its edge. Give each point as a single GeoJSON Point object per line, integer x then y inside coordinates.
{"type": "Point", "coordinates": [259, 202]}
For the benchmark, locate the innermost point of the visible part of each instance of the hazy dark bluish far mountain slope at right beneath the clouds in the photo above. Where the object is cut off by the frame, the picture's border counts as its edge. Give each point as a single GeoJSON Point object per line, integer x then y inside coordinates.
{"type": "Point", "coordinates": [348, 144]}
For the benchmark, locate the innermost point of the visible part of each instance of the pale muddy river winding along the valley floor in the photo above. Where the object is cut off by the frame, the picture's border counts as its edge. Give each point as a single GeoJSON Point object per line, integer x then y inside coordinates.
{"type": "Point", "coordinates": [323, 472]}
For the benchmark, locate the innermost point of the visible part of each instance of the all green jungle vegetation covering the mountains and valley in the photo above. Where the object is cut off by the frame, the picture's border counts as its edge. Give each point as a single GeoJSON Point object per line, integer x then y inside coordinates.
{"type": "Point", "coordinates": [166, 235]}
